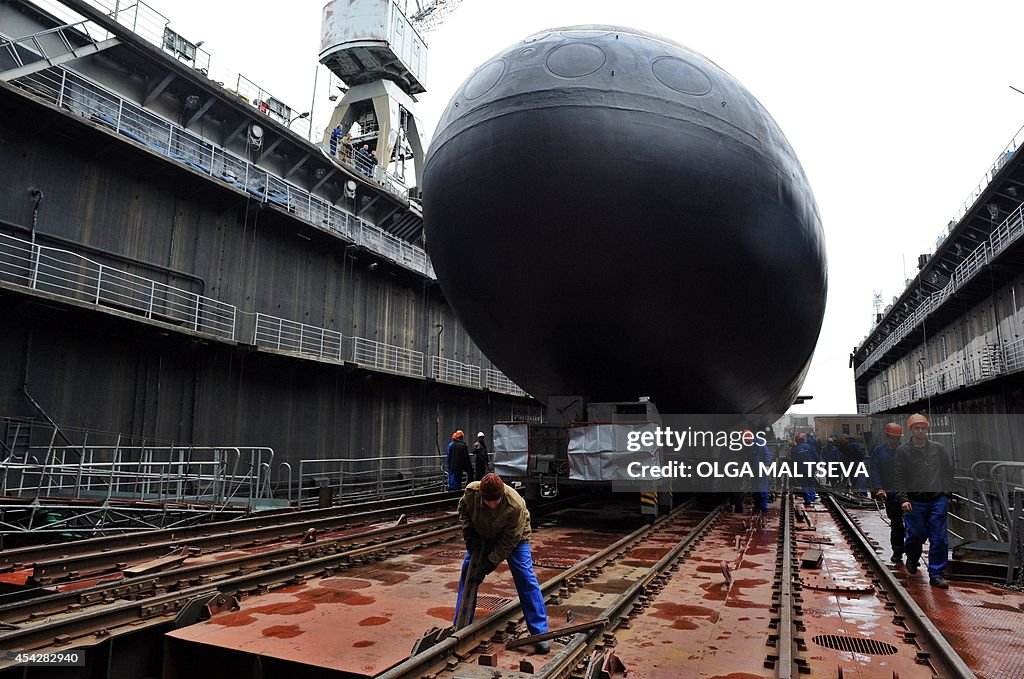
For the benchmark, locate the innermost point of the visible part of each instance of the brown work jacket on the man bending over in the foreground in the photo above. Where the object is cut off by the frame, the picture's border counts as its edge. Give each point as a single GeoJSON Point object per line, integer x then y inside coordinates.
{"type": "Point", "coordinates": [501, 529]}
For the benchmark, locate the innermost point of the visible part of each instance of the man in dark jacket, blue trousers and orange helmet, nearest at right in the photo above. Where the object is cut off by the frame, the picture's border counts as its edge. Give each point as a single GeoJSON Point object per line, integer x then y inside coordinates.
{"type": "Point", "coordinates": [923, 478]}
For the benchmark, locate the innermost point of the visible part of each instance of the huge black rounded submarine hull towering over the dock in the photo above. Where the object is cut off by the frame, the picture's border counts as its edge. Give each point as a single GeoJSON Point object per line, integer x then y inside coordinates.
{"type": "Point", "coordinates": [613, 216]}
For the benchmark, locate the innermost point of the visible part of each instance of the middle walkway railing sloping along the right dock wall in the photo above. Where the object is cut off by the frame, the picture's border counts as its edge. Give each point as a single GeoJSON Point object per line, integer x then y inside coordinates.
{"type": "Point", "coordinates": [1007, 233]}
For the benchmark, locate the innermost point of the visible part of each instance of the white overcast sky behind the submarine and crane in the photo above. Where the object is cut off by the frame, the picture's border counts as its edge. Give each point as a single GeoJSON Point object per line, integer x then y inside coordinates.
{"type": "Point", "coordinates": [897, 110]}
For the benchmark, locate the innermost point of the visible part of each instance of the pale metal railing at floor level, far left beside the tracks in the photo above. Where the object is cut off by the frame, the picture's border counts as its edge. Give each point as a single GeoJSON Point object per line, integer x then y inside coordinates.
{"type": "Point", "coordinates": [183, 475]}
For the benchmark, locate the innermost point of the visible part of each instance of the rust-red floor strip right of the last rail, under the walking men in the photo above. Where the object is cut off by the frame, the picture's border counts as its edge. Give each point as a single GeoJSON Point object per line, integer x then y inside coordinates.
{"type": "Point", "coordinates": [984, 623]}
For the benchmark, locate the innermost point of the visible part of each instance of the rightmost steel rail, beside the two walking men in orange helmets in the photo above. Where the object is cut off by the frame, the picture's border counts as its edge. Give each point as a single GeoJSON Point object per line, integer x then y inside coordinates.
{"type": "Point", "coordinates": [928, 638]}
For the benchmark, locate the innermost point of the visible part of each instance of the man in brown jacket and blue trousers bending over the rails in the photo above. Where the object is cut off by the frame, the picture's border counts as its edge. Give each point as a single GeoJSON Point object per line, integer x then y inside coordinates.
{"type": "Point", "coordinates": [496, 522]}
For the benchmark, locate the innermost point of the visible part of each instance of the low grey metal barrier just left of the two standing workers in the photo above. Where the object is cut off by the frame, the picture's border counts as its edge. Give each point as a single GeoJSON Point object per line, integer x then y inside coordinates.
{"type": "Point", "coordinates": [371, 478]}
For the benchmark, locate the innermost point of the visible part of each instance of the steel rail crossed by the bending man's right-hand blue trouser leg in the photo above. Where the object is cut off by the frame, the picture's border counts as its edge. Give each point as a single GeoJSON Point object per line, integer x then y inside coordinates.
{"type": "Point", "coordinates": [470, 636]}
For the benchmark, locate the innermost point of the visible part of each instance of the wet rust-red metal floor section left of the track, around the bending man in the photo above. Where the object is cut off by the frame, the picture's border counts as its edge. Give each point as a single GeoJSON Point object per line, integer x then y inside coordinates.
{"type": "Point", "coordinates": [368, 619]}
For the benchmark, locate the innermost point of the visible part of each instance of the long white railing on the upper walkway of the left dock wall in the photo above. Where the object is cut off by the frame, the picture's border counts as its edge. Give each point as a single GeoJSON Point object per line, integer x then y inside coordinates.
{"type": "Point", "coordinates": [70, 91]}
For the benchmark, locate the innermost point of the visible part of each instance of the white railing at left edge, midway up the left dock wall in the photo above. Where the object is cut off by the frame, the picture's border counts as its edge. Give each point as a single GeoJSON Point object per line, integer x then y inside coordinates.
{"type": "Point", "coordinates": [71, 276]}
